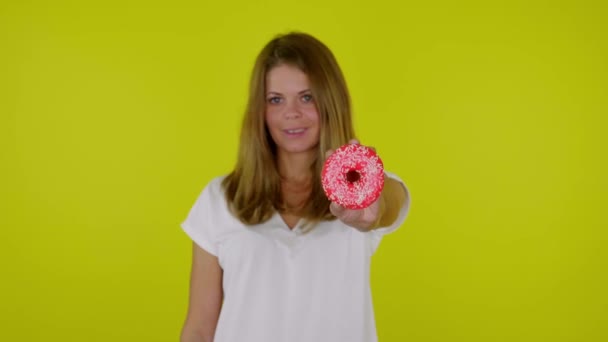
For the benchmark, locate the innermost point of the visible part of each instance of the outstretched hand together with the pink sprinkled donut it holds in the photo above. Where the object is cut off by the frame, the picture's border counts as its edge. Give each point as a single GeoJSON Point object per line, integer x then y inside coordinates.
{"type": "Point", "coordinates": [353, 178]}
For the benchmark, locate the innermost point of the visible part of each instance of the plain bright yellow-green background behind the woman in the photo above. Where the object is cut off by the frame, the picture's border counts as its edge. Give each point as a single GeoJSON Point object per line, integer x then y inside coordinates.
{"type": "Point", "coordinates": [114, 115]}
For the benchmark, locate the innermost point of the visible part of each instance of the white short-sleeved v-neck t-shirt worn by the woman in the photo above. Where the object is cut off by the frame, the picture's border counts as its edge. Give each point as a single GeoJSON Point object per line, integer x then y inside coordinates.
{"type": "Point", "coordinates": [281, 285]}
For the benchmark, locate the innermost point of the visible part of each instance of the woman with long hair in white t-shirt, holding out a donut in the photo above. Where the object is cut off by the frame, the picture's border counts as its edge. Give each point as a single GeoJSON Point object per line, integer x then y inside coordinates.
{"type": "Point", "coordinates": [273, 259]}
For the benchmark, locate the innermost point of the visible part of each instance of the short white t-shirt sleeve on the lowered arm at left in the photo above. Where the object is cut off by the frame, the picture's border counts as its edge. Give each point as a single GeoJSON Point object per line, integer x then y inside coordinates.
{"type": "Point", "coordinates": [198, 224]}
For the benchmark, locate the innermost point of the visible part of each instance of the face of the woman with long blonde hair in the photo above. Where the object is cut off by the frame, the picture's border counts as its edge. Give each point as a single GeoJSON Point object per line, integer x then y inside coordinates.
{"type": "Point", "coordinates": [291, 114]}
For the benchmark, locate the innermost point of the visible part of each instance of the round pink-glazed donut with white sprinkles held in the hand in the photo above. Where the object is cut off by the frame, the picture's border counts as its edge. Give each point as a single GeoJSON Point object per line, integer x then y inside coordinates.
{"type": "Point", "coordinates": [353, 176]}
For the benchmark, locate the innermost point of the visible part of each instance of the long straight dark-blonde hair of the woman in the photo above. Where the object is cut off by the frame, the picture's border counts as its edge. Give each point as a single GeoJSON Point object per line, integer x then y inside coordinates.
{"type": "Point", "coordinates": [253, 188]}
